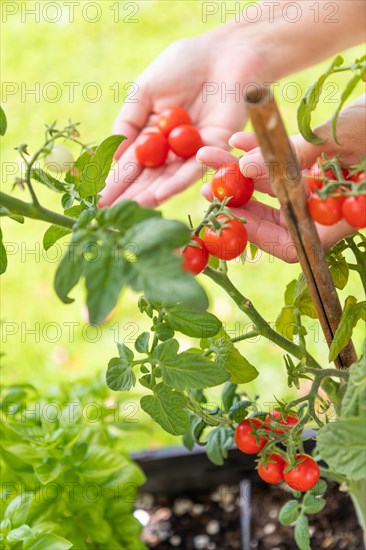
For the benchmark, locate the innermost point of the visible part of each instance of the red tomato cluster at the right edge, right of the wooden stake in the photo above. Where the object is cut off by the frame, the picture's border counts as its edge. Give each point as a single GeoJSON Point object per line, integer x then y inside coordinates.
{"type": "Point", "coordinates": [337, 206]}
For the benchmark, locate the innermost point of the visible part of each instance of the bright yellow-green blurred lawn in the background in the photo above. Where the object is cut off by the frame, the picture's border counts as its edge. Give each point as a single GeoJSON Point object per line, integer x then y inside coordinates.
{"type": "Point", "coordinates": [62, 346]}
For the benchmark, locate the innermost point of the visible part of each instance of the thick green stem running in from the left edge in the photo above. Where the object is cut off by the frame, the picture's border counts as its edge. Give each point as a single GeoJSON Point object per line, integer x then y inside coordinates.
{"type": "Point", "coordinates": [34, 211]}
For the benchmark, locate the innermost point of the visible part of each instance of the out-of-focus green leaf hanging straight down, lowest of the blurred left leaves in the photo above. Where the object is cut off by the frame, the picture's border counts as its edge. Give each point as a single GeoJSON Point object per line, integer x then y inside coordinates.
{"type": "Point", "coordinates": [105, 276]}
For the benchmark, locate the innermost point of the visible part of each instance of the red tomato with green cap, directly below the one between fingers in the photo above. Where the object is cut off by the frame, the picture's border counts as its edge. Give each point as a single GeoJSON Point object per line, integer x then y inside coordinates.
{"type": "Point", "coordinates": [230, 242]}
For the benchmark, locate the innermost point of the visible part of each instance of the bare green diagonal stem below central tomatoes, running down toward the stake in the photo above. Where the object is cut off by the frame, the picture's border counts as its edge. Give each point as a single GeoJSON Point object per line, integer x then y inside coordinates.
{"type": "Point", "coordinates": [263, 328]}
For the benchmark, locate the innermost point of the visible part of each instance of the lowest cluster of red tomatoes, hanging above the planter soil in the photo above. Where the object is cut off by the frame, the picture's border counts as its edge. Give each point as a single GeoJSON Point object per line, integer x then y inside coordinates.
{"type": "Point", "coordinates": [273, 467]}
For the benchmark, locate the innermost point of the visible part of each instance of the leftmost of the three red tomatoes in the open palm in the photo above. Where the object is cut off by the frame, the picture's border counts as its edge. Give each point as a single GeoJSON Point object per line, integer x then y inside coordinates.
{"type": "Point", "coordinates": [151, 149]}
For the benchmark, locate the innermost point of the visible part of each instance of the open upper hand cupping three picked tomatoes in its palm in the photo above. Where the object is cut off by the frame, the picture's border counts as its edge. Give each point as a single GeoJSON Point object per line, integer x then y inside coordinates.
{"type": "Point", "coordinates": [197, 75]}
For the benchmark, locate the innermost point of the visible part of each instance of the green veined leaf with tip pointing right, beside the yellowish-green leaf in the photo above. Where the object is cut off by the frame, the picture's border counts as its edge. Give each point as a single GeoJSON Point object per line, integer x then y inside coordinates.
{"type": "Point", "coordinates": [187, 370]}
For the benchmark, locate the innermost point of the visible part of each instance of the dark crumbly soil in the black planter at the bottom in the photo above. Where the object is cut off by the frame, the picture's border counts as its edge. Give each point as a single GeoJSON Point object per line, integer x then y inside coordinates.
{"type": "Point", "coordinates": [211, 520]}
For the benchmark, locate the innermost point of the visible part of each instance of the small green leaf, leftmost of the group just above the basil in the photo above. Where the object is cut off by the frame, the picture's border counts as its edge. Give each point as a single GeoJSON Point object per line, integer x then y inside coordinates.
{"type": "Point", "coordinates": [120, 375]}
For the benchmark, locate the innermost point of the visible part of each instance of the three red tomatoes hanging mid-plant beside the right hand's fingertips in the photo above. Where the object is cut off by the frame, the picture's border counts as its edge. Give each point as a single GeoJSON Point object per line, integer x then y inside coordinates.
{"type": "Point", "coordinates": [225, 236]}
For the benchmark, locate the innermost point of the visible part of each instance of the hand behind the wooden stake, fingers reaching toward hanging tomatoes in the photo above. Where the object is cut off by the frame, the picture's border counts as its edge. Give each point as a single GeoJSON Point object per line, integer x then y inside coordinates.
{"type": "Point", "coordinates": [266, 226]}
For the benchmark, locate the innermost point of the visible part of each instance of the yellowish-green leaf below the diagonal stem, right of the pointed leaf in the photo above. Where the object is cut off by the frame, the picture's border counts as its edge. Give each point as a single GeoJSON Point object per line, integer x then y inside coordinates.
{"type": "Point", "coordinates": [227, 356]}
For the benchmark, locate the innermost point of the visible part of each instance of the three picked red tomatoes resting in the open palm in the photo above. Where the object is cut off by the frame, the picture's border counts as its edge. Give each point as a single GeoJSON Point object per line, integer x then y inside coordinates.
{"type": "Point", "coordinates": [173, 132]}
